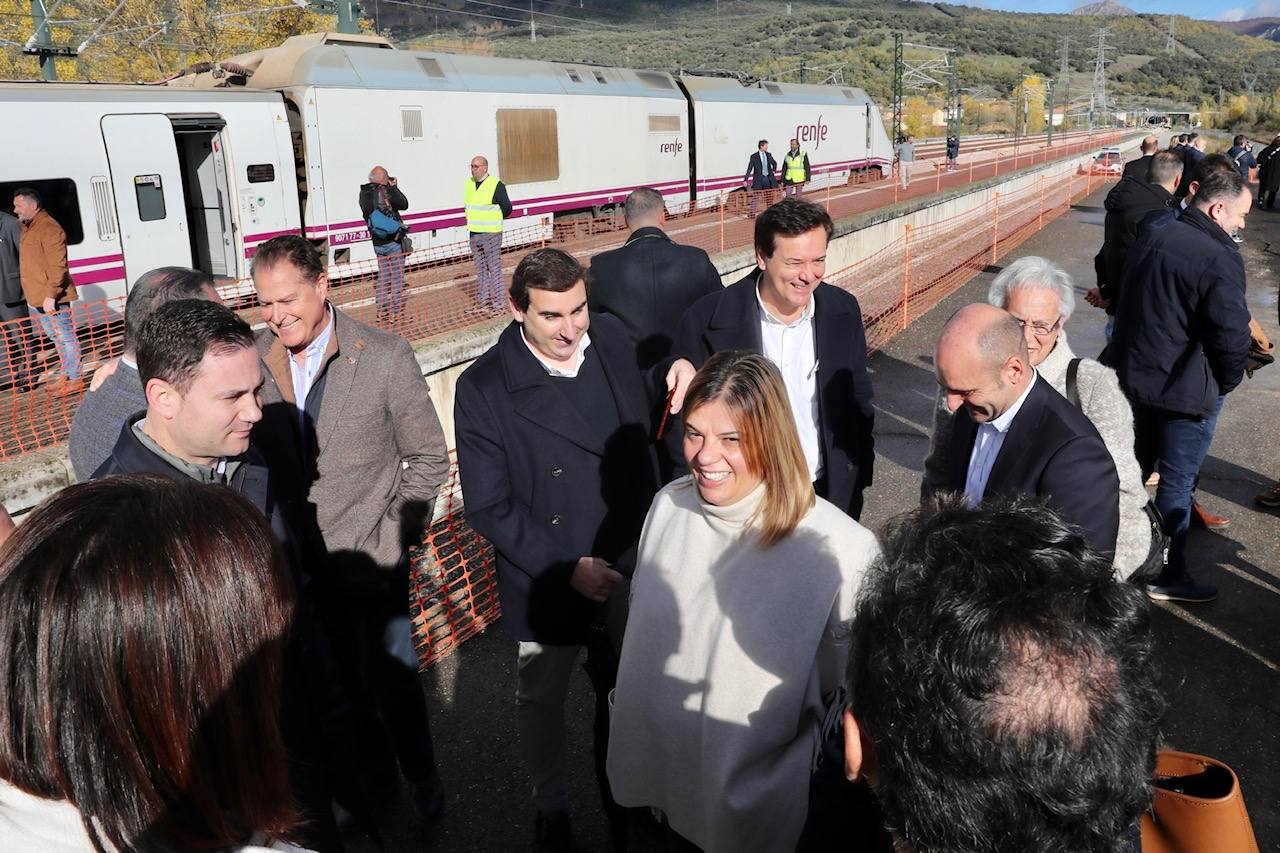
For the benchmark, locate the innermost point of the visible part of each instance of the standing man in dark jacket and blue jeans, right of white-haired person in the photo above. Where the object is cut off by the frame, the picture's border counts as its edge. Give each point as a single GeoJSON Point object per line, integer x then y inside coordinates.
{"type": "Point", "coordinates": [1181, 344]}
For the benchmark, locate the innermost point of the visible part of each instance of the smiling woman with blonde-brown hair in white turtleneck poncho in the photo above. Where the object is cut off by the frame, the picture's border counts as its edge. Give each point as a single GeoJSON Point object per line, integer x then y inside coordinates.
{"type": "Point", "coordinates": [739, 627]}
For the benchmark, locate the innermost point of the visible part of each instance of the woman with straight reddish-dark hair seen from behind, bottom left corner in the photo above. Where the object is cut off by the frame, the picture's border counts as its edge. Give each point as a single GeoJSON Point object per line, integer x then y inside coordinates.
{"type": "Point", "coordinates": [144, 621]}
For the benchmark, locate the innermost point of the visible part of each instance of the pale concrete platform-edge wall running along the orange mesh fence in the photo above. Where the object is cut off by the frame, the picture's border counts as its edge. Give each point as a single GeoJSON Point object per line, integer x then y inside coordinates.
{"type": "Point", "coordinates": [31, 478]}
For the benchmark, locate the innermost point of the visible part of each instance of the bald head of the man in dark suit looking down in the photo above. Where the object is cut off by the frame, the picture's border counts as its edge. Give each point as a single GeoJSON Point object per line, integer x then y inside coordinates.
{"type": "Point", "coordinates": [982, 362]}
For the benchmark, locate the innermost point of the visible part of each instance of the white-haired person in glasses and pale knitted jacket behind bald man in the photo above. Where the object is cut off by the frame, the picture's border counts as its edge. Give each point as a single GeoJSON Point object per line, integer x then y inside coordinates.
{"type": "Point", "coordinates": [1041, 298]}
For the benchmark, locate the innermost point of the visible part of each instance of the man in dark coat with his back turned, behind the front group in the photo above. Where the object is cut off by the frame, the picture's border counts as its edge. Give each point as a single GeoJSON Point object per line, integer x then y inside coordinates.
{"type": "Point", "coordinates": [650, 281]}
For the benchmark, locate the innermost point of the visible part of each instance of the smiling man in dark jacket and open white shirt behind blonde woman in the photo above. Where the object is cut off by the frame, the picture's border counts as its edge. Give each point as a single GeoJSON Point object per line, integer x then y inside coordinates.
{"type": "Point", "coordinates": [813, 332]}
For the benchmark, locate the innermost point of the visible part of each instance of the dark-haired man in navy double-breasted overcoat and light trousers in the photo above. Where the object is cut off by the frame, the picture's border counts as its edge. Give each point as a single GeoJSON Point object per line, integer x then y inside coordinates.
{"type": "Point", "coordinates": [559, 472]}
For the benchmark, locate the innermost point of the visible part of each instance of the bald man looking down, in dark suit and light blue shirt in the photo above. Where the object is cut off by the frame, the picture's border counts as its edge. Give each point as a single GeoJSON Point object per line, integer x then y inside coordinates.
{"type": "Point", "coordinates": [1021, 437]}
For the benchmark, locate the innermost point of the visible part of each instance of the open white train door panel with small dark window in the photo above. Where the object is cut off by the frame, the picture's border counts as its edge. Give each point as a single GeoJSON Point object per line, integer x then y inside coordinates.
{"type": "Point", "coordinates": [149, 197]}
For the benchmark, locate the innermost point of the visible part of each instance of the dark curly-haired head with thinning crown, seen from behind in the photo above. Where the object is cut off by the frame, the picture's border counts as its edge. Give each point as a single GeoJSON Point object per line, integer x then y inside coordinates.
{"type": "Point", "coordinates": [1003, 687]}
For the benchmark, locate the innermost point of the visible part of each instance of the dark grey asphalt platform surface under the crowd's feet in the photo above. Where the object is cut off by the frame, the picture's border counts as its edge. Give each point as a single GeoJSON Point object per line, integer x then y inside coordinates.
{"type": "Point", "coordinates": [1219, 660]}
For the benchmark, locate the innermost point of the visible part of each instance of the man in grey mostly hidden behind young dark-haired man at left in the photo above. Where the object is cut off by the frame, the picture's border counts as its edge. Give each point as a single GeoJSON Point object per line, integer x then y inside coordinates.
{"type": "Point", "coordinates": [104, 410]}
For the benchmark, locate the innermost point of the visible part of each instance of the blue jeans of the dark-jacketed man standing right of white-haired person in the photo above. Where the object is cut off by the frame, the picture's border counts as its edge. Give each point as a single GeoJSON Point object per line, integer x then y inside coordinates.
{"type": "Point", "coordinates": [1174, 445]}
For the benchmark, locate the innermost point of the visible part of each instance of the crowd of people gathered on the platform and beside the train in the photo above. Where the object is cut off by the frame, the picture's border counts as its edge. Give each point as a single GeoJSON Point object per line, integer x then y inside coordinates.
{"type": "Point", "coordinates": [671, 477]}
